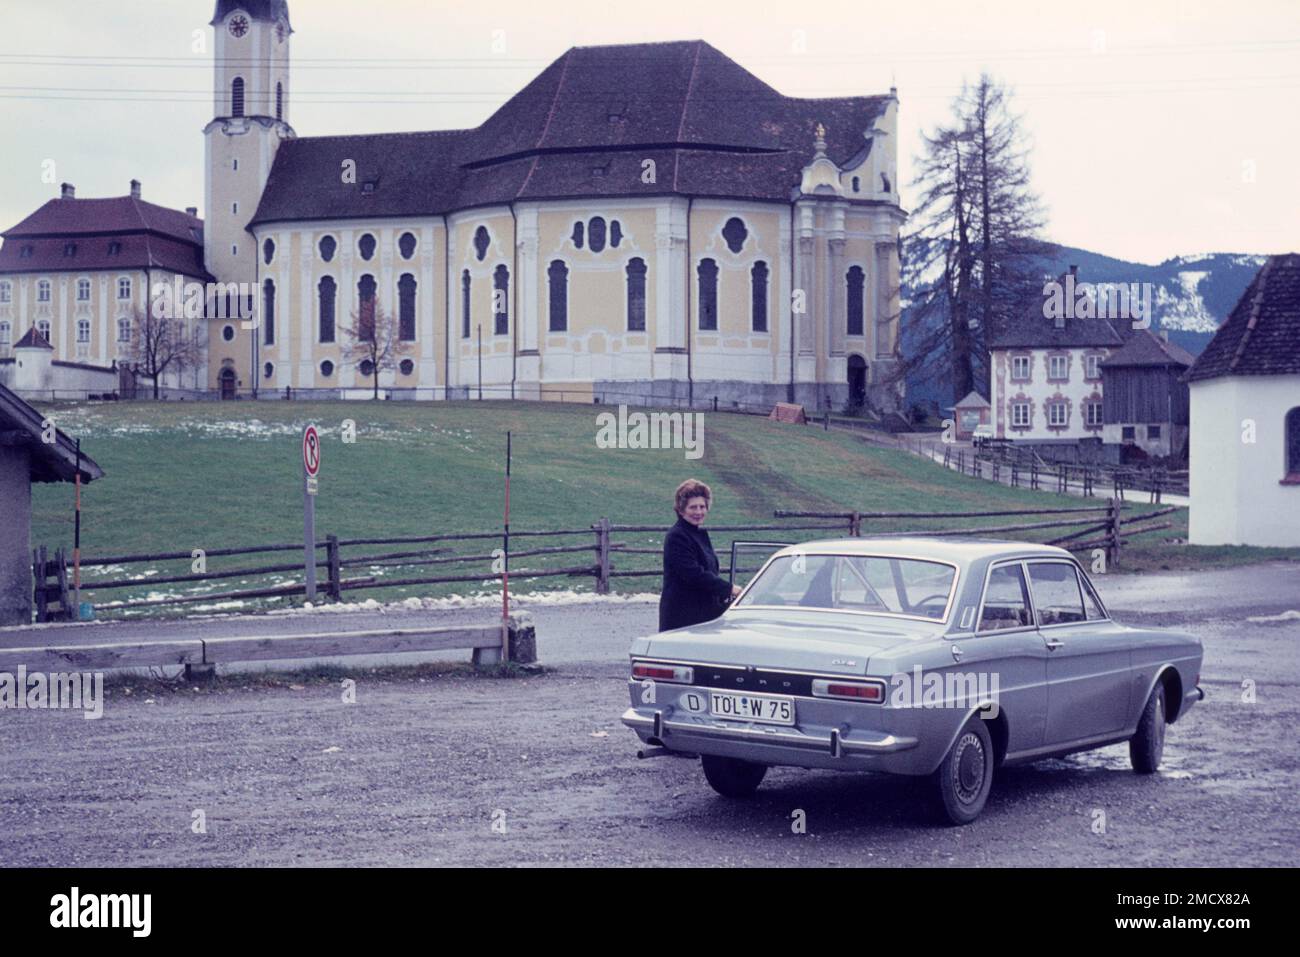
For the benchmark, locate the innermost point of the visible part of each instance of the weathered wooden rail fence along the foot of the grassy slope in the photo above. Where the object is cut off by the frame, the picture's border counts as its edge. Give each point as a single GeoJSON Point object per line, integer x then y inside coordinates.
{"type": "Point", "coordinates": [352, 565]}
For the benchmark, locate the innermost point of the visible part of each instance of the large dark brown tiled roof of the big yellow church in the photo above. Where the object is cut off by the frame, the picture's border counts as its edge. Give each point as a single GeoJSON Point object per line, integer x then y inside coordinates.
{"type": "Point", "coordinates": [583, 129]}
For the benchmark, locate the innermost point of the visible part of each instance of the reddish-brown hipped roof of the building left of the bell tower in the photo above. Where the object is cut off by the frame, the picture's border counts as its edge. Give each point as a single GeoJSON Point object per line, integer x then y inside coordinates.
{"type": "Point", "coordinates": [115, 233]}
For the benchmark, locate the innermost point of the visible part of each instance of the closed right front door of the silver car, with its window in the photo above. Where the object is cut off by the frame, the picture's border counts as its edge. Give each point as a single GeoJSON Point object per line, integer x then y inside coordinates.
{"type": "Point", "coordinates": [1089, 657]}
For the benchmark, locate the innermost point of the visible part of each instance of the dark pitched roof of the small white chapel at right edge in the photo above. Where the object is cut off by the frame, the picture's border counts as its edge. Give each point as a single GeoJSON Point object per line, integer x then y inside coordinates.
{"type": "Point", "coordinates": [1262, 336]}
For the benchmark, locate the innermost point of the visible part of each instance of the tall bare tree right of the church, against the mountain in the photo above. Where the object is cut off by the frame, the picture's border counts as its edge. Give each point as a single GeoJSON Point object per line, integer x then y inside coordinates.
{"type": "Point", "coordinates": [973, 259]}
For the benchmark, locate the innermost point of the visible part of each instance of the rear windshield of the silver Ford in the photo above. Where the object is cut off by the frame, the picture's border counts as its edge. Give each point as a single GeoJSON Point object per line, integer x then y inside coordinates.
{"type": "Point", "coordinates": [869, 584]}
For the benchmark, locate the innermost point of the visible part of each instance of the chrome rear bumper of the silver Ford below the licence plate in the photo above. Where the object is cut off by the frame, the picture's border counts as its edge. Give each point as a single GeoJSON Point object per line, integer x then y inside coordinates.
{"type": "Point", "coordinates": [856, 750]}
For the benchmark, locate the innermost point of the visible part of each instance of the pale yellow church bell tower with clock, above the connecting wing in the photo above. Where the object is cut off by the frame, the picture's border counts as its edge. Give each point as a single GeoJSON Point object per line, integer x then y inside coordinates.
{"type": "Point", "coordinates": [250, 122]}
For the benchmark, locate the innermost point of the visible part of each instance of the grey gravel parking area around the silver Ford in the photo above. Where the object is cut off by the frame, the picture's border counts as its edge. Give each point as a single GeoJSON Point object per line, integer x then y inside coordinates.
{"type": "Point", "coordinates": [465, 770]}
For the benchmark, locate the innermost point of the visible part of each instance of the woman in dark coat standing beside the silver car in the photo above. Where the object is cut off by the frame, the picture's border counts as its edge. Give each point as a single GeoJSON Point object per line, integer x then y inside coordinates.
{"type": "Point", "coordinates": [694, 591]}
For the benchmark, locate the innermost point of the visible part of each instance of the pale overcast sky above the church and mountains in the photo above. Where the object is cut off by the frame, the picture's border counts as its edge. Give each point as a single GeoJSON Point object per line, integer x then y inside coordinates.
{"type": "Point", "coordinates": [1158, 128]}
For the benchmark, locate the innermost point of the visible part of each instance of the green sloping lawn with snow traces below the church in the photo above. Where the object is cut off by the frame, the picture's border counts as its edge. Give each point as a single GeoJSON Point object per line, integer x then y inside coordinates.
{"type": "Point", "coordinates": [184, 477]}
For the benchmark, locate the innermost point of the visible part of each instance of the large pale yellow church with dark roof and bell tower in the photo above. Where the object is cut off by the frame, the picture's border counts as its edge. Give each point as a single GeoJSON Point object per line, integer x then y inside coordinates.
{"type": "Point", "coordinates": [640, 223]}
